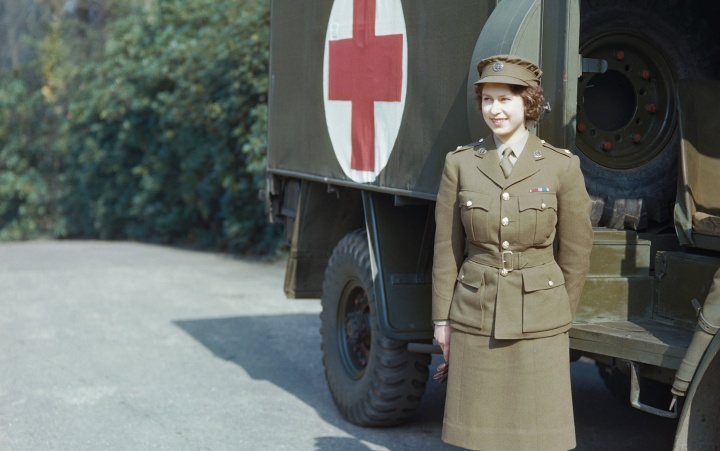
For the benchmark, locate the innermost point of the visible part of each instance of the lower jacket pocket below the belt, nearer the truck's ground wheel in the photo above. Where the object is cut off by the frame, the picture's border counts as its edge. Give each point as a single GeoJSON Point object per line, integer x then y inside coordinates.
{"type": "Point", "coordinates": [467, 305]}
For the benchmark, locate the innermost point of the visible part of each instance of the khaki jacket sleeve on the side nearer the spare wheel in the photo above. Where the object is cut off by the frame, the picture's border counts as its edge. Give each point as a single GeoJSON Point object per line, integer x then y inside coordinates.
{"type": "Point", "coordinates": [574, 231]}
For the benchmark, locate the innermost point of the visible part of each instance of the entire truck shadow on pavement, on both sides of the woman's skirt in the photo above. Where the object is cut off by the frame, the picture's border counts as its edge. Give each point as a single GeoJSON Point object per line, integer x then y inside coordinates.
{"type": "Point", "coordinates": [285, 350]}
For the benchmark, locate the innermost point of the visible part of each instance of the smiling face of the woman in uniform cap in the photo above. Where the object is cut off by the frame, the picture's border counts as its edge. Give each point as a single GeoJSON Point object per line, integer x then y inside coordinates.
{"type": "Point", "coordinates": [503, 111]}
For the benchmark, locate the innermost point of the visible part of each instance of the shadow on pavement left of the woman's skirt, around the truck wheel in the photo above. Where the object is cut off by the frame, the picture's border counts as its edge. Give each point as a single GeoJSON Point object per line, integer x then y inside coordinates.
{"type": "Point", "coordinates": [285, 350]}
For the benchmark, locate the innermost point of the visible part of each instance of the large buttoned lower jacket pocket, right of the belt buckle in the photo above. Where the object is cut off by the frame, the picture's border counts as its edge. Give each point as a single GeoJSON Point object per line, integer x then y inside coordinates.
{"type": "Point", "coordinates": [545, 301]}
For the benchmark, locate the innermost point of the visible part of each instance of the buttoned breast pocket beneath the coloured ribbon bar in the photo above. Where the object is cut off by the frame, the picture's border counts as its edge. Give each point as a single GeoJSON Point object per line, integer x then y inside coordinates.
{"type": "Point", "coordinates": [538, 217]}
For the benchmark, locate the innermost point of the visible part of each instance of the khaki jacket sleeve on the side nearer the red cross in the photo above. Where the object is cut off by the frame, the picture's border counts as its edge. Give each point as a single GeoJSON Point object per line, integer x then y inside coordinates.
{"type": "Point", "coordinates": [449, 242]}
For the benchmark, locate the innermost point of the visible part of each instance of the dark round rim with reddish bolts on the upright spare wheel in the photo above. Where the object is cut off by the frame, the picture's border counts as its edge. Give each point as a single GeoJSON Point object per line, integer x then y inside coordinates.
{"type": "Point", "coordinates": [626, 116]}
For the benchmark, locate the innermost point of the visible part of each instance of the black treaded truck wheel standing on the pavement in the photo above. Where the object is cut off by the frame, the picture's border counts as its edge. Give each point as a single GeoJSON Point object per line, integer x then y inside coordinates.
{"type": "Point", "coordinates": [373, 379]}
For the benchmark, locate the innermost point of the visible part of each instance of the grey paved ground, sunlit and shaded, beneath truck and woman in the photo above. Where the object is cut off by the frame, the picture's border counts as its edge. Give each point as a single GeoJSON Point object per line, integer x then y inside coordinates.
{"type": "Point", "coordinates": [122, 346]}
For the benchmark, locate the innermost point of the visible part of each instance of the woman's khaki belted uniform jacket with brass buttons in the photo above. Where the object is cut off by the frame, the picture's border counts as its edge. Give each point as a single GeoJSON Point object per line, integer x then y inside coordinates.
{"type": "Point", "coordinates": [494, 269]}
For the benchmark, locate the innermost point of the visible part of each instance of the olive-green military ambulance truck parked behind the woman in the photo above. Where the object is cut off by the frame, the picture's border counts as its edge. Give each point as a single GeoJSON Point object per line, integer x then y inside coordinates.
{"type": "Point", "coordinates": [368, 96]}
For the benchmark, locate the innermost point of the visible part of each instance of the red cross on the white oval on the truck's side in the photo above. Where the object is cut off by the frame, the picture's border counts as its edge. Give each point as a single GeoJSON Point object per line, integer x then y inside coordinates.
{"type": "Point", "coordinates": [363, 70]}
